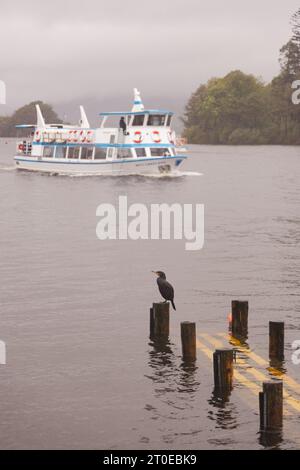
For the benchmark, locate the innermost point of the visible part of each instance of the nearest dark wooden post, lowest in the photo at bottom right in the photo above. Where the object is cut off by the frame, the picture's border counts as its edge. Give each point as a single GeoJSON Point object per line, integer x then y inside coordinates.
{"type": "Point", "coordinates": [271, 406]}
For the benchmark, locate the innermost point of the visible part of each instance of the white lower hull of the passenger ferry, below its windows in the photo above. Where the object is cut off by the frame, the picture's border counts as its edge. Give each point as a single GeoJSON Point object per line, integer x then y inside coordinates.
{"type": "Point", "coordinates": [143, 166]}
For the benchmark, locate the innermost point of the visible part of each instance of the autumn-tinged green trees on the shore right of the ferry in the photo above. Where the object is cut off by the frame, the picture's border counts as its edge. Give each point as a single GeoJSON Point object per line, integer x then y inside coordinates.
{"type": "Point", "coordinates": [241, 109]}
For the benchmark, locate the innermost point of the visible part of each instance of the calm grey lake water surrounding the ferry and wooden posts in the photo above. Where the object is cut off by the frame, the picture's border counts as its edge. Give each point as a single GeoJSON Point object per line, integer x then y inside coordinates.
{"type": "Point", "coordinates": [74, 311]}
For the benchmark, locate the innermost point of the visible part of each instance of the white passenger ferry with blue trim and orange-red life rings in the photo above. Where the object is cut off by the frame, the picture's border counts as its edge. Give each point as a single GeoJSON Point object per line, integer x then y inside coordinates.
{"type": "Point", "coordinates": [140, 142]}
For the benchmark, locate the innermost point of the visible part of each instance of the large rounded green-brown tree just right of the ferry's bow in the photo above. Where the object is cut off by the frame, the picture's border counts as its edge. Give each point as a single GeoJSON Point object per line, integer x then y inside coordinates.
{"type": "Point", "coordinates": [224, 105]}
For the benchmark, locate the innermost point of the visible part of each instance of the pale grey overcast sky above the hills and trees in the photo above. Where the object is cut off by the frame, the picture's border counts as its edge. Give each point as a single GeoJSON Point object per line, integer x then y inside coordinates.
{"type": "Point", "coordinates": [69, 50]}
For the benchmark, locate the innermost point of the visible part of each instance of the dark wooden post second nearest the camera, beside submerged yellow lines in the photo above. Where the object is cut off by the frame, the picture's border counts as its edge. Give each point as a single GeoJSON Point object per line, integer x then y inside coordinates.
{"type": "Point", "coordinates": [223, 369]}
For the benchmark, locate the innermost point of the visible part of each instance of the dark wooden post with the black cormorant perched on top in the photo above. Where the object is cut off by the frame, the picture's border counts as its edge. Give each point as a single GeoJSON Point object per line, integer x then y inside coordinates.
{"type": "Point", "coordinates": [160, 320]}
